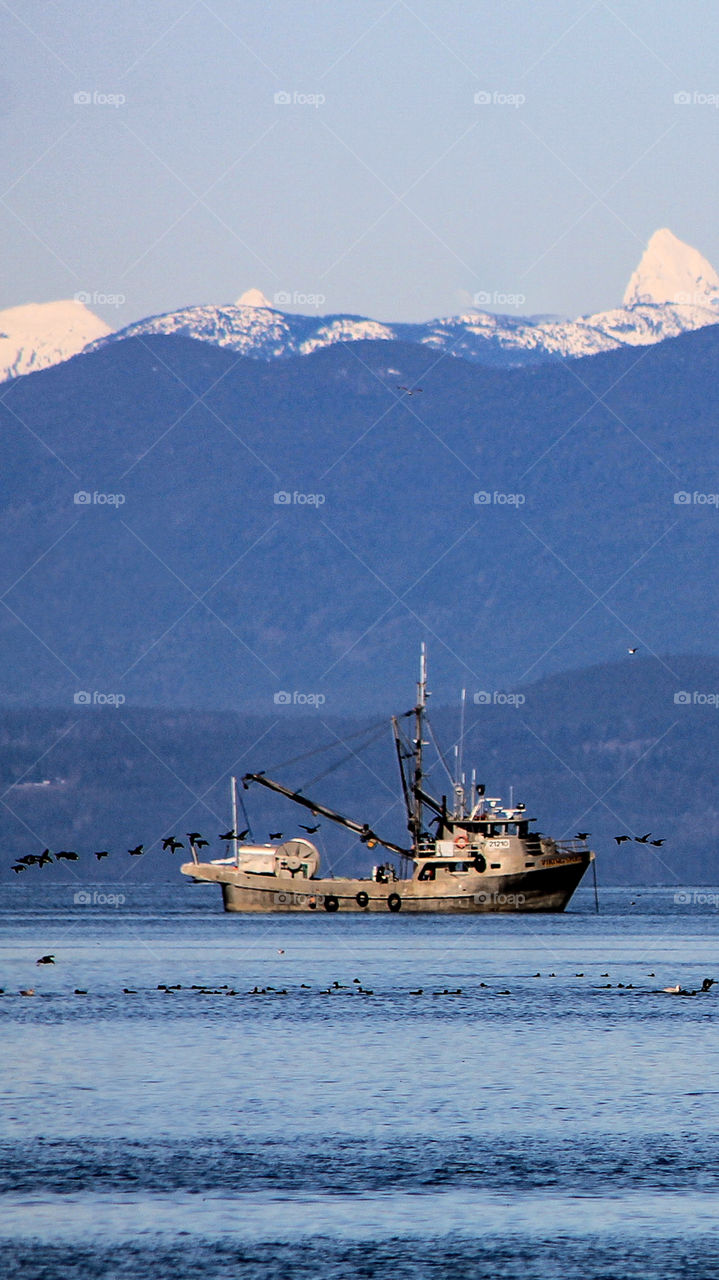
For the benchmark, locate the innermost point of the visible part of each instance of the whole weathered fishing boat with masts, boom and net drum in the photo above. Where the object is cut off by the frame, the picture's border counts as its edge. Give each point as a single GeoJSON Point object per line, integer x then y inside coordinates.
{"type": "Point", "coordinates": [471, 856]}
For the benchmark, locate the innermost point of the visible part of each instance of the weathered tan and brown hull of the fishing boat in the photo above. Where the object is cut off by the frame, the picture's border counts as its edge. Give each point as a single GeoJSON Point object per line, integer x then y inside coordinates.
{"type": "Point", "coordinates": [546, 889]}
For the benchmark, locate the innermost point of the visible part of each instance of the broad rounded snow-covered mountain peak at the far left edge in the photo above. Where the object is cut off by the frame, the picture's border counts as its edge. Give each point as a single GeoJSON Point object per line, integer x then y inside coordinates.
{"type": "Point", "coordinates": [45, 333]}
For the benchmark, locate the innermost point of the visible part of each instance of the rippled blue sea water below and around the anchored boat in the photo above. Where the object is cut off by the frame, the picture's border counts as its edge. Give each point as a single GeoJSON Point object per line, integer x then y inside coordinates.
{"type": "Point", "coordinates": [500, 1124]}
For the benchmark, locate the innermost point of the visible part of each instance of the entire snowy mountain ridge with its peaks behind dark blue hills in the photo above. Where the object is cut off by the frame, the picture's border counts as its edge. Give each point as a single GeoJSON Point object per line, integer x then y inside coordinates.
{"type": "Point", "coordinates": [674, 291]}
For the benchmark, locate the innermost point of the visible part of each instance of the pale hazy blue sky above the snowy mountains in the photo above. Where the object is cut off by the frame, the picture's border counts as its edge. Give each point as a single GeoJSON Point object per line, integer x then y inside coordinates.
{"type": "Point", "coordinates": [399, 196]}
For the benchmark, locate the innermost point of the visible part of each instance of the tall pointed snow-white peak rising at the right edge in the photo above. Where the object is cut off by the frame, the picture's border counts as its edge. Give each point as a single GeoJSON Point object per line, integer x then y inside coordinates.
{"type": "Point", "coordinates": [672, 272]}
